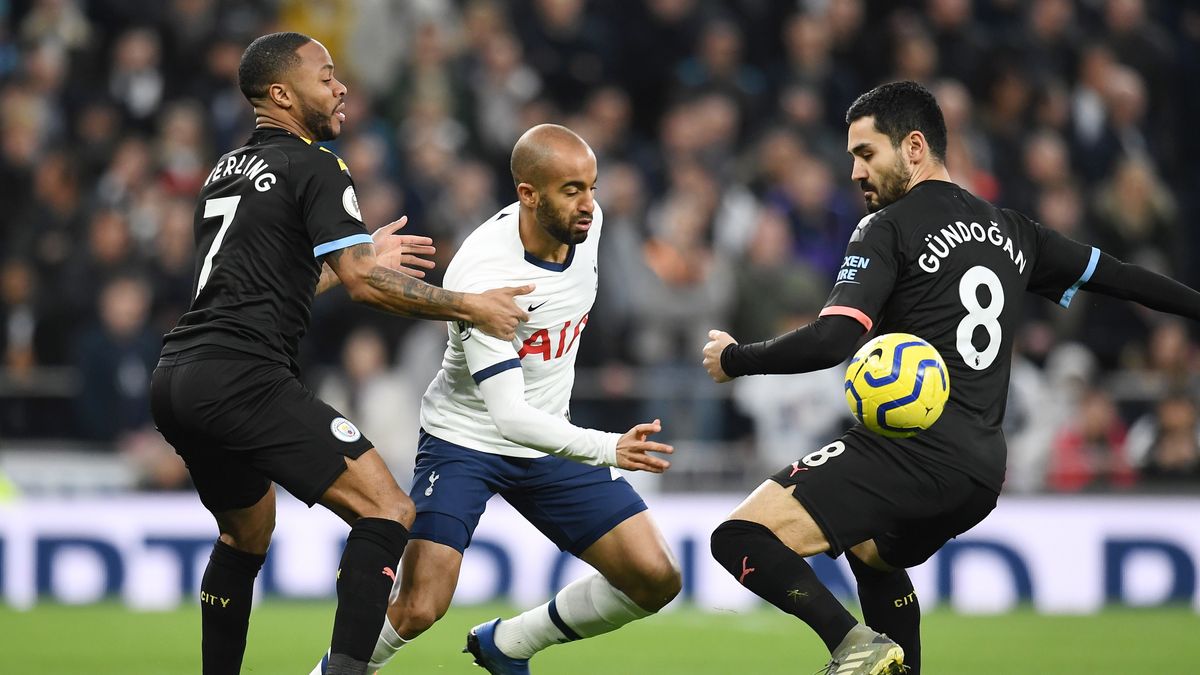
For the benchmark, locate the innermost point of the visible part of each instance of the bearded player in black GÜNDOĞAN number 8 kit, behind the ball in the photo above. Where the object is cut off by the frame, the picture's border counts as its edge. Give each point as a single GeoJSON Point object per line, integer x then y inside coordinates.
{"type": "Point", "coordinates": [935, 261]}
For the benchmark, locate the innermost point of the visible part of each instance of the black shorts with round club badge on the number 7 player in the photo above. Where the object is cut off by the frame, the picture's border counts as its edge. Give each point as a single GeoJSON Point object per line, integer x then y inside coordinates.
{"type": "Point", "coordinates": [242, 423]}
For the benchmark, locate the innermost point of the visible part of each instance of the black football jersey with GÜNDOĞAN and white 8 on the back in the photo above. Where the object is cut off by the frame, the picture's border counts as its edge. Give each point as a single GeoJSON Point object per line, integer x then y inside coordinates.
{"type": "Point", "coordinates": [951, 268]}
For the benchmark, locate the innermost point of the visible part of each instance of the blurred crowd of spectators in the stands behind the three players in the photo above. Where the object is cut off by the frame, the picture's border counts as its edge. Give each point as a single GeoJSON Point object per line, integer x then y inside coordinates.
{"type": "Point", "coordinates": [719, 129]}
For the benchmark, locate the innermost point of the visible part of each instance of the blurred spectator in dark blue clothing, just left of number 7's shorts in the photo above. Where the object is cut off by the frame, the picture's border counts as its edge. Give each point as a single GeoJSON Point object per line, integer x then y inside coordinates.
{"type": "Point", "coordinates": [115, 359]}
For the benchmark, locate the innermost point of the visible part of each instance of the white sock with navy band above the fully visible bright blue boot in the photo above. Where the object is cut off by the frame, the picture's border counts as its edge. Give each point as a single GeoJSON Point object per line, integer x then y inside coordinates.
{"type": "Point", "coordinates": [587, 607]}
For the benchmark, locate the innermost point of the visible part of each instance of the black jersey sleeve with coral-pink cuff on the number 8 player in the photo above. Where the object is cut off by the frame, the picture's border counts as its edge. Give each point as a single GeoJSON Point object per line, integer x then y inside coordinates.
{"type": "Point", "coordinates": [868, 273]}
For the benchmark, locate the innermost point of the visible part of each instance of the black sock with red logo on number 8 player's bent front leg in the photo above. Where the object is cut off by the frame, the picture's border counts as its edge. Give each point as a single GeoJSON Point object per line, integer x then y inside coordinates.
{"type": "Point", "coordinates": [761, 563]}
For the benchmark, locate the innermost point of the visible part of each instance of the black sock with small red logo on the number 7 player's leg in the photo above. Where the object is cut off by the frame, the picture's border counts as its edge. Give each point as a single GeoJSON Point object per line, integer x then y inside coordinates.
{"type": "Point", "coordinates": [364, 581]}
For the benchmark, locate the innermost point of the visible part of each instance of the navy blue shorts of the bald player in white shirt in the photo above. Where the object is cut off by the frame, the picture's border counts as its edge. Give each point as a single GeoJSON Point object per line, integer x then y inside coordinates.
{"type": "Point", "coordinates": [572, 504]}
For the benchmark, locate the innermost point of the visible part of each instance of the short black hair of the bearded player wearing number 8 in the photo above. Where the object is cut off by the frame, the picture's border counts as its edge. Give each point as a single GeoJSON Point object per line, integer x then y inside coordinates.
{"type": "Point", "coordinates": [899, 109]}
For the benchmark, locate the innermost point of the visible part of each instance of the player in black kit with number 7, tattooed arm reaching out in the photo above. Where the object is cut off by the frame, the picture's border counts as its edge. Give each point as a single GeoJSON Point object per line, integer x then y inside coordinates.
{"type": "Point", "coordinates": [277, 223]}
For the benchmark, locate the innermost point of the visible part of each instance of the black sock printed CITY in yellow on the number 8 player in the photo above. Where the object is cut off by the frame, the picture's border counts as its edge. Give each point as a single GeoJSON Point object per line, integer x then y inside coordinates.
{"type": "Point", "coordinates": [890, 606]}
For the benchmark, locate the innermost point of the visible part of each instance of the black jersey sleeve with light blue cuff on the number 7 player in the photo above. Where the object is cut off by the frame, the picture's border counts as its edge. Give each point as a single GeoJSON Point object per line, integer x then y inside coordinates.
{"type": "Point", "coordinates": [328, 202]}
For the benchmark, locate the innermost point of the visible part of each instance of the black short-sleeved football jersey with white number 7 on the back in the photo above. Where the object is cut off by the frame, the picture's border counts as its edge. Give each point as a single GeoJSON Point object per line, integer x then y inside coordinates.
{"type": "Point", "coordinates": [266, 216]}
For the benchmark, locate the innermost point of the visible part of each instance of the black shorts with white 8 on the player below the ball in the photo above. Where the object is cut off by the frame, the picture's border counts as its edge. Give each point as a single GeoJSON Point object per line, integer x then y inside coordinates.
{"type": "Point", "coordinates": [862, 488]}
